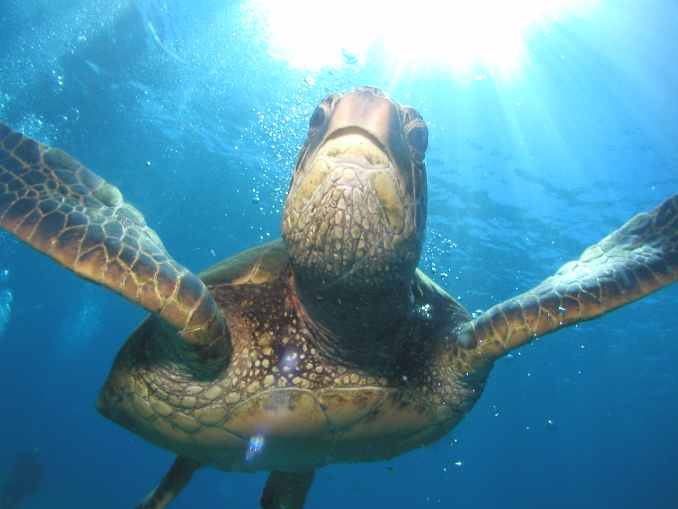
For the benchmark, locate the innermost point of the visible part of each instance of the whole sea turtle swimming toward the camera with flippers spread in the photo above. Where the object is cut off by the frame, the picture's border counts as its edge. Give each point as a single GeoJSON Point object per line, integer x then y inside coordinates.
{"type": "Point", "coordinates": [328, 345]}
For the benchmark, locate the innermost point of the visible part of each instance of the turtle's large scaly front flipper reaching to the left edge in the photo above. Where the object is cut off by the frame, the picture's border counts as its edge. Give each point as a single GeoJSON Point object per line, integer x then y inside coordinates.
{"type": "Point", "coordinates": [62, 209]}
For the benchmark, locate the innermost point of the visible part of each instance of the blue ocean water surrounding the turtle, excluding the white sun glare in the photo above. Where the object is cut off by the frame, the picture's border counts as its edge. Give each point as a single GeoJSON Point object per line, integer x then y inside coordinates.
{"type": "Point", "coordinates": [183, 106]}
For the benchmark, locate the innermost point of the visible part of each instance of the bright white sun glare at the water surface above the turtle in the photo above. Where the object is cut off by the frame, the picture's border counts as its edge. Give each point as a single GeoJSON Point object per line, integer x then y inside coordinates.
{"type": "Point", "coordinates": [312, 34]}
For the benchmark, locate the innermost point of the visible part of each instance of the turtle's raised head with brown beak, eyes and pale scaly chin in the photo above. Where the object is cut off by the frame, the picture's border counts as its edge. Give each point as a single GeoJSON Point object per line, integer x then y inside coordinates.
{"type": "Point", "coordinates": [356, 208]}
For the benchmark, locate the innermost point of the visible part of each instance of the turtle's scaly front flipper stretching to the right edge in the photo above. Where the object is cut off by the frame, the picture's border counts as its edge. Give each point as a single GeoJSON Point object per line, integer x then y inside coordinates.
{"type": "Point", "coordinates": [635, 260]}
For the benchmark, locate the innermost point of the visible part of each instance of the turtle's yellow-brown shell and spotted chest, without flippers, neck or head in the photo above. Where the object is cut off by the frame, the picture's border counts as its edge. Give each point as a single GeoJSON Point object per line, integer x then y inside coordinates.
{"type": "Point", "coordinates": [280, 404]}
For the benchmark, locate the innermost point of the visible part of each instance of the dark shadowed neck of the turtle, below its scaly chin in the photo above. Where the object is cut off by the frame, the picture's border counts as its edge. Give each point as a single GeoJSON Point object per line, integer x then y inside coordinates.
{"type": "Point", "coordinates": [363, 328]}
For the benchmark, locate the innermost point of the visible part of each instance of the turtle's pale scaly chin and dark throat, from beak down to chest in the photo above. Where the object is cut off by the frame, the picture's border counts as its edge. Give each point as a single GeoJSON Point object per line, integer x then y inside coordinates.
{"type": "Point", "coordinates": [351, 230]}
